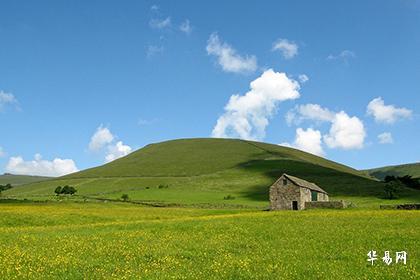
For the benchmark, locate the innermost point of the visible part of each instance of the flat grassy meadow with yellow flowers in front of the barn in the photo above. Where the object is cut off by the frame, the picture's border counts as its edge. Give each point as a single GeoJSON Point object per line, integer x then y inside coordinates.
{"type": "Point", "coordinates": [122, 241]}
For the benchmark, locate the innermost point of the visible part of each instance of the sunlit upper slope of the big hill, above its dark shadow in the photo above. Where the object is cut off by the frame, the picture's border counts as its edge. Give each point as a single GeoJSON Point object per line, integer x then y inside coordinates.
{"type": "Point", "coordinates": [192, 157]}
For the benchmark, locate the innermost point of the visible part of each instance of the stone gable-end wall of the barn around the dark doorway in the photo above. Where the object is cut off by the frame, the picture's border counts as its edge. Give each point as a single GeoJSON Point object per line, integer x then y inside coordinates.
{"type": "Point", "coordinates": [282, 196]}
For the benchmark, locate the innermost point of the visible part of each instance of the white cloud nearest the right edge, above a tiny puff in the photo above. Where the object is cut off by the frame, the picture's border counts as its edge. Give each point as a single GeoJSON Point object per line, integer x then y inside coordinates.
{"type": "Point", "coordinates": [386, 113]}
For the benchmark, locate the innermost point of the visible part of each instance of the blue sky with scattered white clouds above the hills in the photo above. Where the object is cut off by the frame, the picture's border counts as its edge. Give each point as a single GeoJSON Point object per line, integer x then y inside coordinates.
{"type": "Point", "coordinates": [84, 82]}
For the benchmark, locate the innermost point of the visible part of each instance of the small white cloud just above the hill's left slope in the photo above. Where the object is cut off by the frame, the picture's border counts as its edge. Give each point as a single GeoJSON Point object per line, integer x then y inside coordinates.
{"type": "Point", "coordinates": [104, 140]}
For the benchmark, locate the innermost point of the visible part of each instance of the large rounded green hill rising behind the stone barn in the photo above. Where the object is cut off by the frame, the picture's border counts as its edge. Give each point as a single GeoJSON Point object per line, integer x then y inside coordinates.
{"type": "Point", "coordinates": [206, 171]}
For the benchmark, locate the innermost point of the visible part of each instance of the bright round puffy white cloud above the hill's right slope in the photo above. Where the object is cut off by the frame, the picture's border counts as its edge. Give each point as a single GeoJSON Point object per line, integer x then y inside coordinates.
{"type": "Point", "coordinates": [345, 132]}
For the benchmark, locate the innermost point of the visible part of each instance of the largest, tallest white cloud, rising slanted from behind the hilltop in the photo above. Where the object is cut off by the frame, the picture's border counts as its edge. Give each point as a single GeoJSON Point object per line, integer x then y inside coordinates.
{"type": "Point", "coordinates": [248, 115]}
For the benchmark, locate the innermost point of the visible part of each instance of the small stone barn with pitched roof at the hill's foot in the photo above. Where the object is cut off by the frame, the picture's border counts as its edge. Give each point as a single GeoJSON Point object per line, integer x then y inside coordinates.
{"type": "Point", "coordinates": [291, 193]}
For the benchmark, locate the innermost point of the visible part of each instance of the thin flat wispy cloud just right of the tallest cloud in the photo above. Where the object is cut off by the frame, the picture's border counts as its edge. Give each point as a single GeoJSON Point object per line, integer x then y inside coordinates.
{"type": "Point", "coordinates": [309, 112]}
